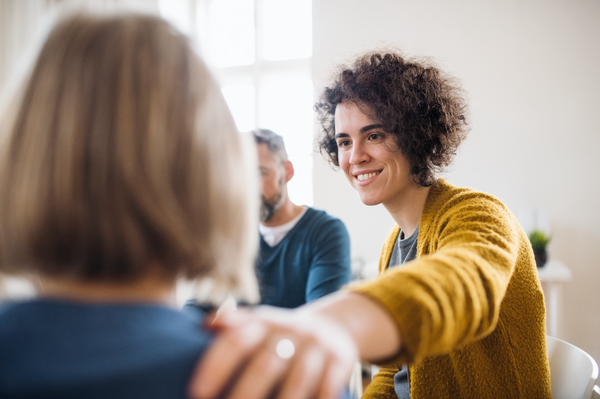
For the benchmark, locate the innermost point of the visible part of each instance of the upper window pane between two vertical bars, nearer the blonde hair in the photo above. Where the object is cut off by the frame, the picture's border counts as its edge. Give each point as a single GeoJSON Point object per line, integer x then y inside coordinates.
{"type": "Point", "coordinates": [231, 27]}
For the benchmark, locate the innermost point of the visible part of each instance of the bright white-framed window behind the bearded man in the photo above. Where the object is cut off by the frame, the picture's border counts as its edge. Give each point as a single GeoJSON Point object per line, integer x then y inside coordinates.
{"type": "Point", "coordinates": [260, 51]}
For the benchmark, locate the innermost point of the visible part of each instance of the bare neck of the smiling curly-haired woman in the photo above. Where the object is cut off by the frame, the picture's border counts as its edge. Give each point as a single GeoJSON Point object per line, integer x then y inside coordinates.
{"type": "Point", "coordinates": [407, 209]}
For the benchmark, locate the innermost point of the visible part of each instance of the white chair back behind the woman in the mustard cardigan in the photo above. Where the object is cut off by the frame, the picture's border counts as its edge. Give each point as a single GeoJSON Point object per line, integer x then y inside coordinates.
{"type": "Point", "coordinates": [572, 371]}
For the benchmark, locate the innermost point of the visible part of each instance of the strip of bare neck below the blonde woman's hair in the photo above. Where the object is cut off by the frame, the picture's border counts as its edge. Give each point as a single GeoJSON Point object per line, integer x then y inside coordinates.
{"type": "Point", "coordinates": [152, 288]}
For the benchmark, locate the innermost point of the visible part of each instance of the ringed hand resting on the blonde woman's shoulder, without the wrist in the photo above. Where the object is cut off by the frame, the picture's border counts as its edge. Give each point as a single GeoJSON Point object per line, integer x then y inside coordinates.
{"type": "Point", "coordinates": [243, 361]}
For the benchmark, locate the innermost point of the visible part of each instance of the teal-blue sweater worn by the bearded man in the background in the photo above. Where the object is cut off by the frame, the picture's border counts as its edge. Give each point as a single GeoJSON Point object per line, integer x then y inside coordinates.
{"type": "Point", "coordinates": [312, 260]}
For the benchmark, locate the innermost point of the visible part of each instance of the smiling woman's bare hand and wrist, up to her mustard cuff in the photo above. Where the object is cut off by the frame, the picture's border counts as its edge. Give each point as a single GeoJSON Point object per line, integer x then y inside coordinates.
{"type": "Point", "coordinates": [329, 335]}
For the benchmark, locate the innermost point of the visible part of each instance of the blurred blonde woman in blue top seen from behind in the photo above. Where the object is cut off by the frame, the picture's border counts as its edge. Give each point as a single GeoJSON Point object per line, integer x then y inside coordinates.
{"type": "Point", "coordinates": [120, 173]}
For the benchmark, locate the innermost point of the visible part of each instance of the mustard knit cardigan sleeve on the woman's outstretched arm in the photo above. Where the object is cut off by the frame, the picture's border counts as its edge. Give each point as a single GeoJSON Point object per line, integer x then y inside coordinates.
{"type": "Point", "coordinates": [451, 294]}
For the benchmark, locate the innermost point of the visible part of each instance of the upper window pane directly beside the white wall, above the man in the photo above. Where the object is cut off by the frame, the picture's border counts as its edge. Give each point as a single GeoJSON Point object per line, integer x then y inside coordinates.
{"type": "Point", "coordinates": [286, 28]}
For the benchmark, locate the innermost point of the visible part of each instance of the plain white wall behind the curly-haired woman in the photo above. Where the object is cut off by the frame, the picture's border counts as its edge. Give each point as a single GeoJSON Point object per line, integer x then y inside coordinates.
{"type": "Point", "coordinates": [531, 68]}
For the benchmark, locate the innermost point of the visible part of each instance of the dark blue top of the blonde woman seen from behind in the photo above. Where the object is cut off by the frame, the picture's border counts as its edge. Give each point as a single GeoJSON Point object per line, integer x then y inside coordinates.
{"type": "Point", "coordinates": [56, 349]}
